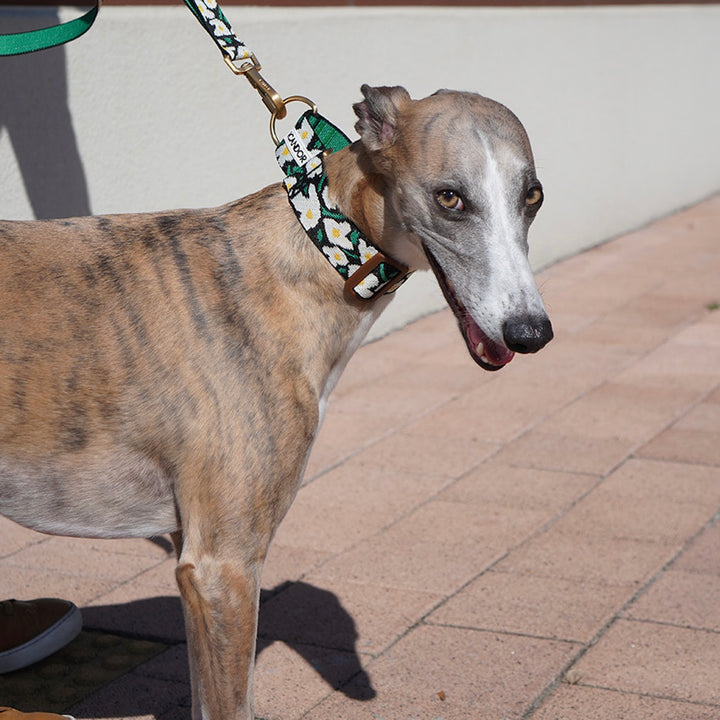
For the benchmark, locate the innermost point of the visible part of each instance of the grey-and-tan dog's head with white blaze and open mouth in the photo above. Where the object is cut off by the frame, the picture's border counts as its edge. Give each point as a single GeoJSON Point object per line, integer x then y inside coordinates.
{"type": "Point", "coordinates": [460, 193]}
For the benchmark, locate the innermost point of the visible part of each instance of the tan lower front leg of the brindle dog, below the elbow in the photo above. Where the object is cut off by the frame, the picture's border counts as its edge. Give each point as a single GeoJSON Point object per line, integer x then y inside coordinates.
{"type": "Point", "coordinates": [220, 600]}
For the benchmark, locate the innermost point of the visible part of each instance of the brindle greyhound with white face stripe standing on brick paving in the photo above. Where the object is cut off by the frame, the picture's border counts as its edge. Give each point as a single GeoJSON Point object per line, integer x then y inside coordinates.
{"type": "Point", "coordinates": [167, 372]}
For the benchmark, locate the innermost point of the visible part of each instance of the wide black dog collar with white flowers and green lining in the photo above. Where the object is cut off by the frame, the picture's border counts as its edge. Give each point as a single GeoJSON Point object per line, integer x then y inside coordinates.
{"type": "Point", "coordinates": [366, 270]}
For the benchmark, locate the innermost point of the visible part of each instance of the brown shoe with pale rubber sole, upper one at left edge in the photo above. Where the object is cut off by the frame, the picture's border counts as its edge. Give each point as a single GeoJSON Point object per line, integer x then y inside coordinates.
{"type": "Point", "coordinates": [32, 630]}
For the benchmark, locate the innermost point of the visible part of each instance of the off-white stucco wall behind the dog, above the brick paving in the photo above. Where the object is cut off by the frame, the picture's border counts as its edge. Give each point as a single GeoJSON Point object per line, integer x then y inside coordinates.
{"type": "Point", "coordinates": [621, 105]}
